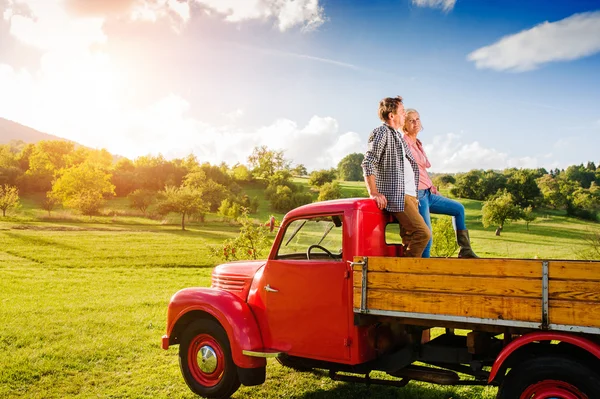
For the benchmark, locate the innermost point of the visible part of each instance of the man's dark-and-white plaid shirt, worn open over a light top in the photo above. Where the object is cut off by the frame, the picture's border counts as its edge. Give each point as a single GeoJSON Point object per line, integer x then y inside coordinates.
{"type": "Point", "coordinates": [385, 160]}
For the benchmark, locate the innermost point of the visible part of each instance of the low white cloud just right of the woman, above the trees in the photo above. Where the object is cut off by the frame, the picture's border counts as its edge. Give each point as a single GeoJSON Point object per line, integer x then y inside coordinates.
{"type": "Point", "coordinates": [448, 153]}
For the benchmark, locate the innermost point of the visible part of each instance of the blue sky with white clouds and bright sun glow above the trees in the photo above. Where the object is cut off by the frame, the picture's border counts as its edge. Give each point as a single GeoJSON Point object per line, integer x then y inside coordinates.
{"type": "Point", "coordinates": [498, 83]}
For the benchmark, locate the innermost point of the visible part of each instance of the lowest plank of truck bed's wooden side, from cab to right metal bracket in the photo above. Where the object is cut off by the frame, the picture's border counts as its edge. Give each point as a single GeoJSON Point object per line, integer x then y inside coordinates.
{"type": "Point", "coordinates": [489, 307]}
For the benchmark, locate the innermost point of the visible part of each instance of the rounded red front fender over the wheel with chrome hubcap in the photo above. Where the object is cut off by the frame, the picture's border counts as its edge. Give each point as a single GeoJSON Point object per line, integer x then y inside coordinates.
{"type": "Point", "coordinates": [229, 310]}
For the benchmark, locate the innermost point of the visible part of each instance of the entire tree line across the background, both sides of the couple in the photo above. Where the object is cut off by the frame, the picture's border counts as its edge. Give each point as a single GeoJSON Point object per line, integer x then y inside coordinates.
{"type": "Point", "coordinates": [82, 179]}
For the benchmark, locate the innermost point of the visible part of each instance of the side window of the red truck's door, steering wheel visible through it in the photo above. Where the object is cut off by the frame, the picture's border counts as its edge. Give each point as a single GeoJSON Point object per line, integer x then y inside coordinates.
{"type": "Point", "coordinates": [322, 235]}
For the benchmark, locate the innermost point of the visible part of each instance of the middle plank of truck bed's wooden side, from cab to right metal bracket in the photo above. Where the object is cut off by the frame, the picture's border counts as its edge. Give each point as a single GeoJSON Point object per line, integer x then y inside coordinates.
{"type": "Point", "coordinates": [474, 285]}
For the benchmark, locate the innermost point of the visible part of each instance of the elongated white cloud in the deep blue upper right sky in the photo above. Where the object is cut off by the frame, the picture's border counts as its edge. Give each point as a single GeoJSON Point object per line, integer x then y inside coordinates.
{"type": "Point", "coordinates": [571, 38]}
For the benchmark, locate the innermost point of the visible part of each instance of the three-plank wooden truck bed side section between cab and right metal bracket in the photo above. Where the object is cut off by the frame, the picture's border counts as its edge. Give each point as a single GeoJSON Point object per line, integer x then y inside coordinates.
{"type": "Point", "coordinates": [496, 289]}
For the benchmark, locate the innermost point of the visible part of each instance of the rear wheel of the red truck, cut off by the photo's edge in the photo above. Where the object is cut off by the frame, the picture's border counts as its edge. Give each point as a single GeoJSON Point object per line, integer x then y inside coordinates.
{"type": "Point", "coordinates": [550, 377]}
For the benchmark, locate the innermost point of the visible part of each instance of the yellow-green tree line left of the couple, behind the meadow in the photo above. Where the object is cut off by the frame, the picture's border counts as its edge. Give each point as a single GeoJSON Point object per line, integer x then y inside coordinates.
{"type": "Point", "coordinates": [82, 179]}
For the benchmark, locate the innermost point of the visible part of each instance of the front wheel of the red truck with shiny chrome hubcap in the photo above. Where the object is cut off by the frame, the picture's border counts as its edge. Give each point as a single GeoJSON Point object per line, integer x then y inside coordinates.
{"type": "Point", "coordinates": [216, 376]}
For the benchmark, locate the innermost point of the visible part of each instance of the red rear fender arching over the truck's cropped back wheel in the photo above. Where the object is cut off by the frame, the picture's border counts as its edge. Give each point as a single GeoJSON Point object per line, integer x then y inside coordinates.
{"type": "Point", "coordinates": [581, 342]}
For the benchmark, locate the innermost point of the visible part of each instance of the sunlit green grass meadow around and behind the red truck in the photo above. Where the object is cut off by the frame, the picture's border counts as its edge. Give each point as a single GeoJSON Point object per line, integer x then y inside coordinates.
{"type": "Point", "coordinates": [84, 300]}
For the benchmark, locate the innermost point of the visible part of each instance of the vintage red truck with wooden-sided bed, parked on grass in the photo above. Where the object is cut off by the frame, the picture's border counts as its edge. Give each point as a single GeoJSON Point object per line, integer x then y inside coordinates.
{"type": "Point", "coordinates": [335, 293]}
